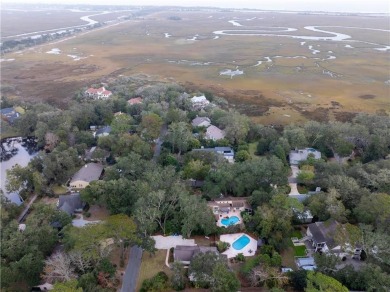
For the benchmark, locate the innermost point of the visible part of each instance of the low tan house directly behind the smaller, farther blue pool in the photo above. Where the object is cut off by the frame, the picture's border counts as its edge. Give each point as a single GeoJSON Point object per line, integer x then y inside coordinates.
{"type": "Point", "coordinates": [225, 205]}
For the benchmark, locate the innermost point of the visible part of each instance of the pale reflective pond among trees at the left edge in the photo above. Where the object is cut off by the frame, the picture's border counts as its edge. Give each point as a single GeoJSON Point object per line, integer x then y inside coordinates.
{"type": "Point", "coordinates": [15, 151]}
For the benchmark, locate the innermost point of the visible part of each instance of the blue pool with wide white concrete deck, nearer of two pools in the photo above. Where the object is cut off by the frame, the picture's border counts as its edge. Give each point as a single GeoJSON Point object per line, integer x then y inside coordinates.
{"type": "Point", "coordinates": [239, 243]}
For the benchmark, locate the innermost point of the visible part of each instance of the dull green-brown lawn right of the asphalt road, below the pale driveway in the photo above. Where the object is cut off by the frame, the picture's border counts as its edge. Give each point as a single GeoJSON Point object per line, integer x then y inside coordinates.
{"type": "Point", "coordinates": [151, 265]}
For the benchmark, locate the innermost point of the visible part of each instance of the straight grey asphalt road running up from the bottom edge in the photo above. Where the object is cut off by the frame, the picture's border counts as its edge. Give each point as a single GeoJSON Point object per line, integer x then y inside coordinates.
{"type": "Point", "coordinates": [132, 270]}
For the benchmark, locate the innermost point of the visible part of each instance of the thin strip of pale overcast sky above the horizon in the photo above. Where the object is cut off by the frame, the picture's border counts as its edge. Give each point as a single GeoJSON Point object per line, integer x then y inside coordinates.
{"type": "Point", "coordinates": [377, 6]}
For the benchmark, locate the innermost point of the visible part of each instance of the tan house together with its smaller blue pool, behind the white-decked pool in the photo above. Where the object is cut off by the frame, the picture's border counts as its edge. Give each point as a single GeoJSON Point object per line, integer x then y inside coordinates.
{"type": "Point", "coordinates": [227, 211]}
